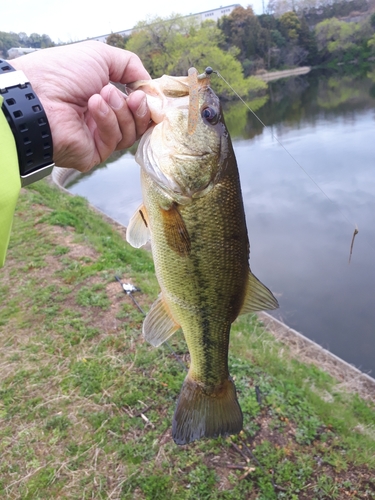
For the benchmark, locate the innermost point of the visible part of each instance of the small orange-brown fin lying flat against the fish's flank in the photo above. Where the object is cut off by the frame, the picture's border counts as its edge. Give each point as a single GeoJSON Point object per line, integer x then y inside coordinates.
{"type": "Point", "coordinates": [175, 230]}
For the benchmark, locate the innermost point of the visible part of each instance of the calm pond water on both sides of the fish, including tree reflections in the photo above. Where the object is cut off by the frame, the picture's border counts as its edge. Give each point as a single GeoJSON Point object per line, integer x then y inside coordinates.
{"type": "Point", "coordinates": [302, 206]}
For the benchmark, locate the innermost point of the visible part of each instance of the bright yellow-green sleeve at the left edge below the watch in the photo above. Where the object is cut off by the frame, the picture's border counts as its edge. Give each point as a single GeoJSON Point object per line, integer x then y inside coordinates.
{"type": "Point", "coordinates": [10, 183]}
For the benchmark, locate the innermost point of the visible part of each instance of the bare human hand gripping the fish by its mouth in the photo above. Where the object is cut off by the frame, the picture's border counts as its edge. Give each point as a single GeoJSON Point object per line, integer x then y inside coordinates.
{"type": "Point", "coordinates": [88, 116]}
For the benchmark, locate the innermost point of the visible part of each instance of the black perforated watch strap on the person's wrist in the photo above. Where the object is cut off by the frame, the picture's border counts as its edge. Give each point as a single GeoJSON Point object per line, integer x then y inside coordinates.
{"type": "Point", "coordinates": [29, 124]}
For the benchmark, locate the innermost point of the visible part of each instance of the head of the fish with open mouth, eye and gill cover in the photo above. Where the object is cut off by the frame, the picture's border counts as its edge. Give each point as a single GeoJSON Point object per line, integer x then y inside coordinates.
{"type": "Point", "coordinates": [185, 150]}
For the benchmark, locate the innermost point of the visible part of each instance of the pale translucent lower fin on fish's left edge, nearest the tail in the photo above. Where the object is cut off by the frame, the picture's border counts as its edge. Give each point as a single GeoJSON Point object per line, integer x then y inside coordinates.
{"type": "Point", "coordinates": [159, 325]}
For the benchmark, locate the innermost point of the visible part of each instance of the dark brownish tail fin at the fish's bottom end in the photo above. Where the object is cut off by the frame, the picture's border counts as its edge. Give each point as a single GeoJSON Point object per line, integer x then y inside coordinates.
{"type": "Point", "coordinates": [200, 415]}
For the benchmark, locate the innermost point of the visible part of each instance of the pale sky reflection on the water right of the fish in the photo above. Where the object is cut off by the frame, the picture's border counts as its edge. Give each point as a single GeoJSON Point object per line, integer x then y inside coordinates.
{"type": "Point", "coordinates": [300, 241]}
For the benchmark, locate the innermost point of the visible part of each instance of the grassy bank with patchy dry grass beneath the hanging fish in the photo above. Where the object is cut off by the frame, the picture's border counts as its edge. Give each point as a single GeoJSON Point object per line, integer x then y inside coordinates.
{"type": "Point", "coordinates": [86, 405]}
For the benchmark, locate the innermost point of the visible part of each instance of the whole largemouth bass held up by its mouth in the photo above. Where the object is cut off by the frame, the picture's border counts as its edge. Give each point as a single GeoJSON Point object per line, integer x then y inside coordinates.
{"type": "Point", "coordinates": [193, 213]}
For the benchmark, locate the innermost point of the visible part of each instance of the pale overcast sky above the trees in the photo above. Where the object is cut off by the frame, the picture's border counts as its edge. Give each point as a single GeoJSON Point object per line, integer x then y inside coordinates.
{"type": "Point", "coordinates": [73, 20]}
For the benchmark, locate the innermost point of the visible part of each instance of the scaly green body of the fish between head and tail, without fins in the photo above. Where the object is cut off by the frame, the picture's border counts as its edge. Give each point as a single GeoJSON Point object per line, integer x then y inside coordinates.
{"type": "Point", "coordinates": [213, 277]}
